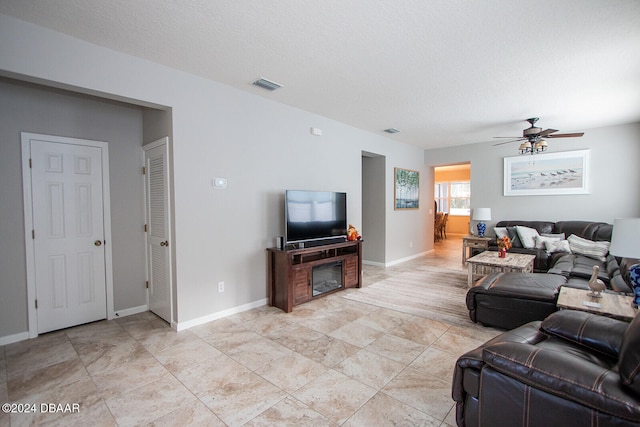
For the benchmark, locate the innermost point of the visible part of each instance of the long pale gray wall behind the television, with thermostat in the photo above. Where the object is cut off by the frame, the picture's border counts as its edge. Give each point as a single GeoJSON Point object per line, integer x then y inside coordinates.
{"type": "Point", "coordinates": [261, 148]}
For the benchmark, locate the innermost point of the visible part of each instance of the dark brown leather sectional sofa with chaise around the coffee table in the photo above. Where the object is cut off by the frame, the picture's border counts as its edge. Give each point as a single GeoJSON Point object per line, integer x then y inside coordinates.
{"type": "Point", "coordinates": [509, 300]}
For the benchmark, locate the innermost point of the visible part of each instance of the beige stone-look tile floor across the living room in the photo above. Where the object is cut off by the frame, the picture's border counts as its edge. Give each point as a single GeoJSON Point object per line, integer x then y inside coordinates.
{"type": "Point", "coordinates": [330, 362]}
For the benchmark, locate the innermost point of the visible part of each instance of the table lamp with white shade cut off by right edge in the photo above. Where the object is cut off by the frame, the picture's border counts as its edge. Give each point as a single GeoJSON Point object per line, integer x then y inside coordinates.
{"type": "Point", "coordinates": [625, 242]}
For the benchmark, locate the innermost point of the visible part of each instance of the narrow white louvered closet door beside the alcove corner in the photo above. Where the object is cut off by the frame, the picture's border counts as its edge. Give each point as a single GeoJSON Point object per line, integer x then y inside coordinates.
{"type": "Point", "coordinates": [158, 227]}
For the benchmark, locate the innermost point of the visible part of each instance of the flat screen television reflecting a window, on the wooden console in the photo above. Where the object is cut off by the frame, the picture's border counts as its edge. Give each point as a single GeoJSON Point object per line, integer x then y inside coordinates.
{"type": "Point", "coordinates": [315, 216]}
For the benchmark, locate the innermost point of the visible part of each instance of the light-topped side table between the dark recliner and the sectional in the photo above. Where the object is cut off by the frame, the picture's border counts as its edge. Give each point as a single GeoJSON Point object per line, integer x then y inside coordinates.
{"type": "Point", "coordinates": [611, 304]}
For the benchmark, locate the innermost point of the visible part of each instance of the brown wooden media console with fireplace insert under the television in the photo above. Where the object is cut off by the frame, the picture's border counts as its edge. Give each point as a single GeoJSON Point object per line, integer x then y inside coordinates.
{"type": "Point", "coordinates": [291, 272]}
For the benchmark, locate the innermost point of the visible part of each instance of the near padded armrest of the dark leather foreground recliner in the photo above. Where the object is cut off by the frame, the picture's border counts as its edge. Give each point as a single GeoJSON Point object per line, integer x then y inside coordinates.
{"type": "Point", "coordinates": [569, 375]}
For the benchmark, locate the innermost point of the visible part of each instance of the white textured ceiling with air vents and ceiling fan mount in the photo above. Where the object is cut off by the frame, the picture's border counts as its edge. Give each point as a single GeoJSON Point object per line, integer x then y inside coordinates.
{"type": "Point", "coordinates": [445, 72]}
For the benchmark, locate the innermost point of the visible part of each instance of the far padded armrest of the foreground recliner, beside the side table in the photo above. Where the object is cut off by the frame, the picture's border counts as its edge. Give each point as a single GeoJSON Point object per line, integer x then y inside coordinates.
{"type": "Point", "coordinates": [597, 333]}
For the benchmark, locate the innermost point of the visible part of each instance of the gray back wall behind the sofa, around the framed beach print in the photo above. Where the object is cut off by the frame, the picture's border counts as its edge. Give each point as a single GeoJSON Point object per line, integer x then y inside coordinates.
{"type": "Point", "coordinates": [614, 178]}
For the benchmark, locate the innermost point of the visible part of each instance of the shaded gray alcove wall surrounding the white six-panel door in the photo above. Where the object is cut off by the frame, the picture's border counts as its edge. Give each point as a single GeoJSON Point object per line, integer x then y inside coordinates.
{"type": "Point", "coordinates": [30, 108]}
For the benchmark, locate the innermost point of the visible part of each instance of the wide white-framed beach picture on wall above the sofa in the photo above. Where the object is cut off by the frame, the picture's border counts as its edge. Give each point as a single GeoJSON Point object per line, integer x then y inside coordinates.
{"type": "Point", "coordinates": [547, 174]}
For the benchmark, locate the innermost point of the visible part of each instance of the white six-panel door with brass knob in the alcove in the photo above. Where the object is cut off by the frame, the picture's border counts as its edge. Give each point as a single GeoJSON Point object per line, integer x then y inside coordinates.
{"type": "Point", "coordinates": [68, 233]}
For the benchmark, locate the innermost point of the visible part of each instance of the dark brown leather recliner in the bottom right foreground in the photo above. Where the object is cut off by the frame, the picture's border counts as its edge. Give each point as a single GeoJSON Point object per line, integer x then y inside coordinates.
{"type": "Point", "coordinates": [572, 369]}
